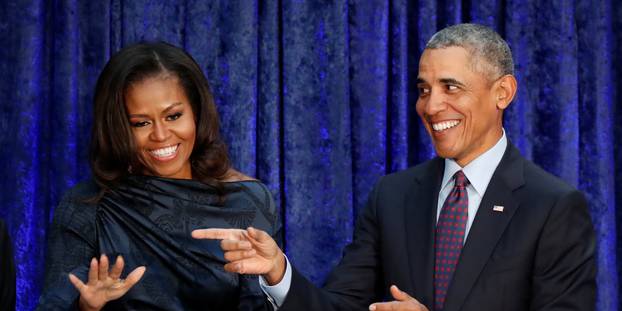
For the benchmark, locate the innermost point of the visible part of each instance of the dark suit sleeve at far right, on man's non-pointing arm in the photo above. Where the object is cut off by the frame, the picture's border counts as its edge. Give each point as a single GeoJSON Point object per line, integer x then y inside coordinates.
{"type": "Point", "coordinates": [565, 269]}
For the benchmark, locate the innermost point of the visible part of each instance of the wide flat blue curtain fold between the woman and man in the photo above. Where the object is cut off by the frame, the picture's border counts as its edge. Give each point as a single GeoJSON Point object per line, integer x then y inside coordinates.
{"type": "Point", "coordinates": [316, 134]}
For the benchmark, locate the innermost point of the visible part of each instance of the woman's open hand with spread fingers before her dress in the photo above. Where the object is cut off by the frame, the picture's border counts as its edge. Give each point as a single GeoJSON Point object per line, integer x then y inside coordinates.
{"type": "Point", "coordinates": [103, 285]}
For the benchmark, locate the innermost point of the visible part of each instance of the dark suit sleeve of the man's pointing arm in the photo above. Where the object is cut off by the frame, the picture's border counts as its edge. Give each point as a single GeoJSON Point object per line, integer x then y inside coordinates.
{"type": "Point", "coordinates": [354, 283]}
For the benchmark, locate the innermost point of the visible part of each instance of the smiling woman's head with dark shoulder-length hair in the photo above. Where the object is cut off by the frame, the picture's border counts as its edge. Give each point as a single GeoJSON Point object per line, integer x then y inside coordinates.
{"type": "Point", "coordinates": [141, 92]}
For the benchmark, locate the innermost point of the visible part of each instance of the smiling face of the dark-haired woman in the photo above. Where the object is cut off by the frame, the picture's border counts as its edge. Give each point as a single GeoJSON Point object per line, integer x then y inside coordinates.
{"type": "Point", "coordinates": [163, 125]}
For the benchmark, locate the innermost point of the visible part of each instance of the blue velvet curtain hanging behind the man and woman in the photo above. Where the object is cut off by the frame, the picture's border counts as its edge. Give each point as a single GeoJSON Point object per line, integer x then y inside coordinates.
{"type": "Point", "coordinates": [316, 100]}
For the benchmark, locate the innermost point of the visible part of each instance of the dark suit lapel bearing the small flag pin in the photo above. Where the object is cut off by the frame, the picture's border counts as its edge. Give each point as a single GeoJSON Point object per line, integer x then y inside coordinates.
{"type": "Point", "coordinates": [487, 227]}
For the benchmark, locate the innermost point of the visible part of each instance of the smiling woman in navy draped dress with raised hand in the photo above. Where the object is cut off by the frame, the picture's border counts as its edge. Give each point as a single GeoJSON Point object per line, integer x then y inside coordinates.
{"type": "Point", "coordinates": [160, 170]}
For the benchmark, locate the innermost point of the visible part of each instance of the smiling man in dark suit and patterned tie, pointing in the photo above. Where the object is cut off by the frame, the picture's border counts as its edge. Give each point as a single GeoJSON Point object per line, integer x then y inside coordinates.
{"type": "Point", "coordinates": [477, 228]}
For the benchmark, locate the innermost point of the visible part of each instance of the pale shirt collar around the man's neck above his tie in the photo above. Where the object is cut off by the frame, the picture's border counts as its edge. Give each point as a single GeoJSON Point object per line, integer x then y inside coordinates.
{"type": "Point", "coordinates": [479, 171]}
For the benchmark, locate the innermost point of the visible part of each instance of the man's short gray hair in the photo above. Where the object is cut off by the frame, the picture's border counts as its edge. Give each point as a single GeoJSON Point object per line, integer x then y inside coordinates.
{"type": "Point", "coordinates": [491, 54]}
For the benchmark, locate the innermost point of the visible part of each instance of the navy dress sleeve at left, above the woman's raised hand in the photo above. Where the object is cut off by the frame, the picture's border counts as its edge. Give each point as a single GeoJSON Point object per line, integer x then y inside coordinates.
{"type": "Point", "coordinates": [71, 245]}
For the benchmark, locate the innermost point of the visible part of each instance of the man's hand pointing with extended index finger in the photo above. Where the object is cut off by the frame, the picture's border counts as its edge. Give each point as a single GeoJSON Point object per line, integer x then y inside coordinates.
{"type": "Point", "coordinates": [249, 251]}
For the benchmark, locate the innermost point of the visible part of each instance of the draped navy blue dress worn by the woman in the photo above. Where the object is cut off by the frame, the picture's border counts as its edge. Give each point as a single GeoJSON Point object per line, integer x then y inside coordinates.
{"type": "Point", "coordinates": [148, 220]}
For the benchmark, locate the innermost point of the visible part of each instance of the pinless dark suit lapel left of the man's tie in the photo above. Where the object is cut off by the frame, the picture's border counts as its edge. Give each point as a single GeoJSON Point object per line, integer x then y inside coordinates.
{"type": "Point", "coordinates": [420, 211]}
